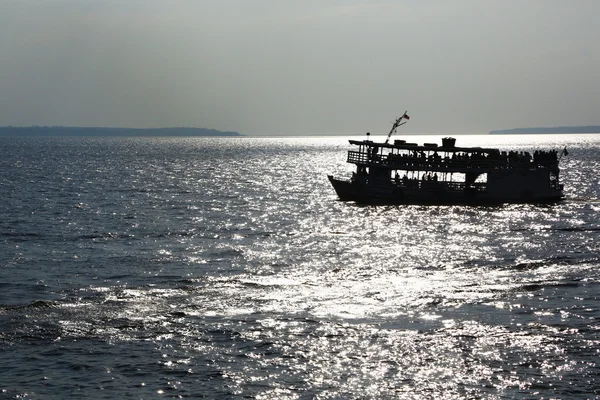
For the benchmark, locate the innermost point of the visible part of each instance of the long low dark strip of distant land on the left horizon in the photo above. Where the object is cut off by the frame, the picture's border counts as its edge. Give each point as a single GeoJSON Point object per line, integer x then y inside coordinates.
{"type": "Point", "coordinates": [98, 131]}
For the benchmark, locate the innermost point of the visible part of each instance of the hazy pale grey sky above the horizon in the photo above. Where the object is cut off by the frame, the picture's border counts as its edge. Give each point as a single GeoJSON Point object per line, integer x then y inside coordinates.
{"type": "Point", "coordinates": [300, 67]}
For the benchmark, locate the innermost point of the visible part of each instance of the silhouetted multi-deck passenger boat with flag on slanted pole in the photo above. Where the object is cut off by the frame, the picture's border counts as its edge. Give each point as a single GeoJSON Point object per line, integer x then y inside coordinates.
{"type": "Point", "coordinates": [408, 173]}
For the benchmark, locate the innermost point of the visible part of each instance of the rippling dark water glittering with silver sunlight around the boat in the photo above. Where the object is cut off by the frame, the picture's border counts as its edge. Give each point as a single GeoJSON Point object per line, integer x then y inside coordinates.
{"type": "Point", "coordinates": [226, 268]}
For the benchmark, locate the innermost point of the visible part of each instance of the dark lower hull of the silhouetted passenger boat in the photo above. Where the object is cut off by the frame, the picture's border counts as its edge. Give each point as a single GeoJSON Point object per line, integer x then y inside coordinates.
{"type": "Point", "coordinates": [436, 194]}
